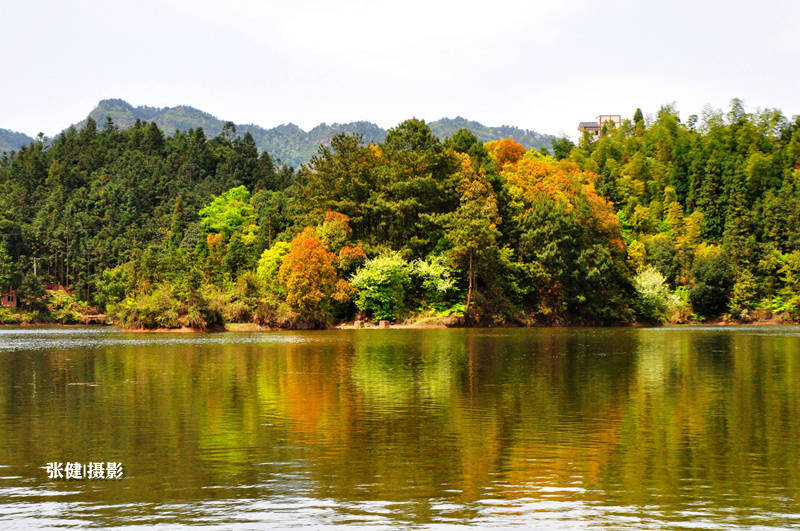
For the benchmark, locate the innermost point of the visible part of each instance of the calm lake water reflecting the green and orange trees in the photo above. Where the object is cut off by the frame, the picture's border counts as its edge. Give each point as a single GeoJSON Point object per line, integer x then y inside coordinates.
{"type": "Point", "coordinates": [621, 427]}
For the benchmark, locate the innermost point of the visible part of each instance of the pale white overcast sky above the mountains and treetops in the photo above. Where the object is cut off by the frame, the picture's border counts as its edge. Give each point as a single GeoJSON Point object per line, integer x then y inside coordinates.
{"type": "Point", "coordinates": [537, 65]}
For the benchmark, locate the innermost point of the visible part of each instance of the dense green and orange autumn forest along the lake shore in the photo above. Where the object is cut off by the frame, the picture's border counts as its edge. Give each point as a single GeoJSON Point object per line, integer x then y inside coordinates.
{"type": "Point", "coordinates": [657, 220]}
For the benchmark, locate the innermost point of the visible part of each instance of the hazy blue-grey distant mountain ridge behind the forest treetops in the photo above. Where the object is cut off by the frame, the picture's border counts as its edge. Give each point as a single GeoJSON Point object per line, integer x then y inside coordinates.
{"type": "Point", "coordinates": [288, 142]}
